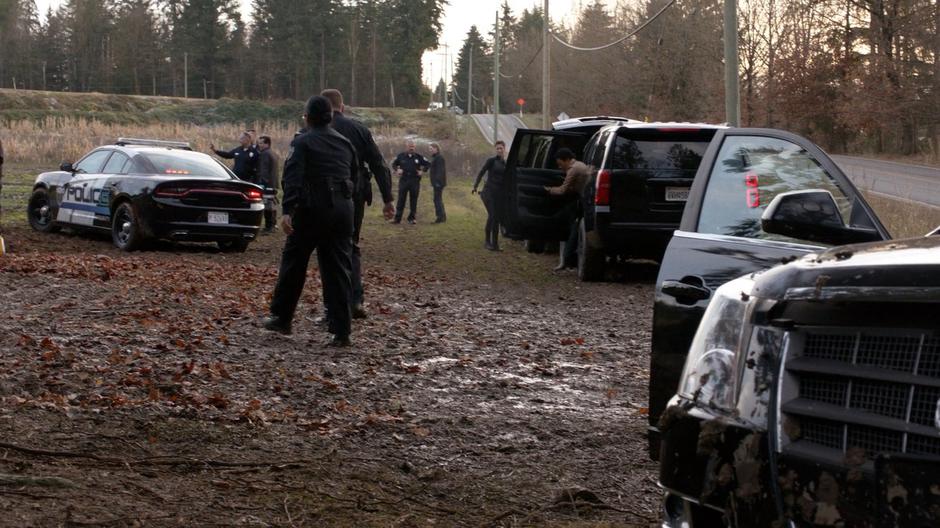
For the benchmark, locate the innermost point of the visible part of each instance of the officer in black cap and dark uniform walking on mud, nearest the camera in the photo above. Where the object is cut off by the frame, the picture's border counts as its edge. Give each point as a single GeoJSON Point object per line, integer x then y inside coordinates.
{"type": "Point", "coordinates": [319, 177]}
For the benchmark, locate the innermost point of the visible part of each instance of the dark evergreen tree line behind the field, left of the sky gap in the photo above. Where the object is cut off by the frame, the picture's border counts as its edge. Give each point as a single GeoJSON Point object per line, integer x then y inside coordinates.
{"type": "Point", "coordinates": [370, 49]}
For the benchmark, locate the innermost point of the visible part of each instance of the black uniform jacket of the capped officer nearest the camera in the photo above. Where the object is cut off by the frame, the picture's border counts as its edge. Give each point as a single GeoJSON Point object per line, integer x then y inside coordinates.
{"type": "Point", "coordinates": [321, 162]}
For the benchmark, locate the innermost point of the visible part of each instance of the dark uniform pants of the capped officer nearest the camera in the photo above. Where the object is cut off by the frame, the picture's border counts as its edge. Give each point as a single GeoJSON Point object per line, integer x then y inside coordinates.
{"type": "Point", "coordinates": [328, 230]}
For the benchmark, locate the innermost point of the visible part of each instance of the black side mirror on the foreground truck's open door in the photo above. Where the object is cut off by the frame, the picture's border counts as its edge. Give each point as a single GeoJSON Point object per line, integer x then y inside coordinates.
{"type": "Point", "coordinates": [812, 215]}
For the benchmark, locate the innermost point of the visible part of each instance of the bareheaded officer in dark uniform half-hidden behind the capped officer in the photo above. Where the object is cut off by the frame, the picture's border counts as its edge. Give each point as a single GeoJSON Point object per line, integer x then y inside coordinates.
{"type": "Point", "coordinates": [369, 156]}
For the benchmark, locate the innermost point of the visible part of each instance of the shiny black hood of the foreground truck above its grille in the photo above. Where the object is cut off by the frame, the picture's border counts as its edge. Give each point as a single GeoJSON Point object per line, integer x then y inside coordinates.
{"type": "Point", "coordinates": [907, 269]}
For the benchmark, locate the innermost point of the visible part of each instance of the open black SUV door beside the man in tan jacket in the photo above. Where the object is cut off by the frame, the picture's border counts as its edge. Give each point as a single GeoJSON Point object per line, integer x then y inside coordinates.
{"type": "Point", "coordinates": [529, 212]}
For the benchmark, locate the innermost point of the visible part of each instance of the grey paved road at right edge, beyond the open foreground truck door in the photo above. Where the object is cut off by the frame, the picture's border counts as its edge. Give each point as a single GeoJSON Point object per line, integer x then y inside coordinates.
{"type": "Point", "coordinates": [899, 180]}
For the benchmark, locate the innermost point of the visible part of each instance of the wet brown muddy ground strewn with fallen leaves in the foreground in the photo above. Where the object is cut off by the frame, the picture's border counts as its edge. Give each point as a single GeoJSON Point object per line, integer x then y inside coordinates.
{"type": "Point", "coordinates": [138, 390]}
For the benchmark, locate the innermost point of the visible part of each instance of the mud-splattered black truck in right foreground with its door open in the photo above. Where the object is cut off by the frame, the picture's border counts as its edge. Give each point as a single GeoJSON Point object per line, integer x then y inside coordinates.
{"type": "Point", "coordinates": [806, 395]}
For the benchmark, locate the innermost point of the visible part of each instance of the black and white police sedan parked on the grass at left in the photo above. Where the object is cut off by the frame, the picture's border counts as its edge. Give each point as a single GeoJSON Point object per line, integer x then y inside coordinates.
{"type": "Point", "coordinates": [148, 189]}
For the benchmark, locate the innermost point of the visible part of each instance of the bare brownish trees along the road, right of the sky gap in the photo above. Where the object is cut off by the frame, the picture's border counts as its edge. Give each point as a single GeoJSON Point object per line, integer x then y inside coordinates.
{"type": "Point", "coordinates": [855, 75]}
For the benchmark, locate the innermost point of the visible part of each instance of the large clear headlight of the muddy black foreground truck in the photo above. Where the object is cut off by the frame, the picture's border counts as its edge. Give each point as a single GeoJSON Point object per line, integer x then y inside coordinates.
{"type": "Point", "coordinates": [709, 377]}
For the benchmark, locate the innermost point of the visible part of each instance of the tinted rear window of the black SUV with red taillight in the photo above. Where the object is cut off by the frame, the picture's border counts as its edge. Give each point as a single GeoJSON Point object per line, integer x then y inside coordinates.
{"type": "Point", "coordinates": [659, 150]}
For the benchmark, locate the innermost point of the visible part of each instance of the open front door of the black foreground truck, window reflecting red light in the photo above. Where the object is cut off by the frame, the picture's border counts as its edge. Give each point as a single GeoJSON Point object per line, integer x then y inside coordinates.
{"type": "Point", "coordinates": [722, 237]}
